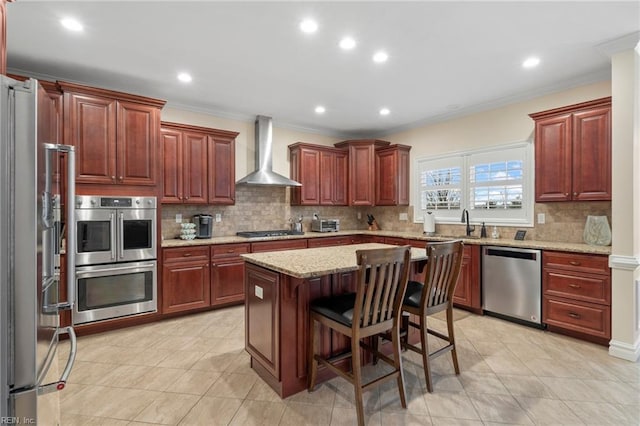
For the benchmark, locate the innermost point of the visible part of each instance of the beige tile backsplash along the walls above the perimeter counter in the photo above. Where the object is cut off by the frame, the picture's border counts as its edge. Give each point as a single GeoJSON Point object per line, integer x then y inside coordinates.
{"type": "Point", "coordinates": [266, 207]}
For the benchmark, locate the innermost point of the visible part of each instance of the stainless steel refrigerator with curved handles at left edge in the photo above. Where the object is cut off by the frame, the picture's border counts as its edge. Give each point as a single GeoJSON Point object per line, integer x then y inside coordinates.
{"type": "Point", "coordinates": [37, 178]}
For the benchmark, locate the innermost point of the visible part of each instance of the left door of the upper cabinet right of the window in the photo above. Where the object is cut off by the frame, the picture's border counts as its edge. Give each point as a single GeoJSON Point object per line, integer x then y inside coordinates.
{"type": "Point", "coordinates": [553, 158]}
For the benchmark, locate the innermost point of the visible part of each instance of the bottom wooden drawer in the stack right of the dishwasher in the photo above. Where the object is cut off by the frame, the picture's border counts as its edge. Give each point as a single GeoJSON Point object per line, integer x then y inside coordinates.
{"type": "Point", "coordinates": [592, 319]}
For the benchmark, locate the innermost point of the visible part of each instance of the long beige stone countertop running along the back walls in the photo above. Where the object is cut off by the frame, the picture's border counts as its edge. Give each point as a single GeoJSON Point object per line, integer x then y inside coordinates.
{"type": "Point", "coordinates": [504, 242]}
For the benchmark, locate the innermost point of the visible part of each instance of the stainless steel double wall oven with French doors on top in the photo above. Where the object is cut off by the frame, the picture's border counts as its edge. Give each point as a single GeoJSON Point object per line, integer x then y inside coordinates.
{"type": "Point", "coordinates": [116, 268]}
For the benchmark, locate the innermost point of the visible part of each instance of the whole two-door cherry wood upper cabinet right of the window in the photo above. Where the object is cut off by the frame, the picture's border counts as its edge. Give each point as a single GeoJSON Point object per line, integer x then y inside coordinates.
{"type": "Point", "coordinates": [573, 152]}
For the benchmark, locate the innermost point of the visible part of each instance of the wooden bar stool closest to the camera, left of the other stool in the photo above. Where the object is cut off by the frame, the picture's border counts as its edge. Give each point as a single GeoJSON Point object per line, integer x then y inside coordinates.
{"type": "Point", "coordinates": [381, 282]}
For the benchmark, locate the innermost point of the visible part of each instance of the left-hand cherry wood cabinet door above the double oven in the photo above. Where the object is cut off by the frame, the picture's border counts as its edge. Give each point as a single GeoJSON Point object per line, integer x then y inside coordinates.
{"type": "Point", "coordinates": [90, 126]}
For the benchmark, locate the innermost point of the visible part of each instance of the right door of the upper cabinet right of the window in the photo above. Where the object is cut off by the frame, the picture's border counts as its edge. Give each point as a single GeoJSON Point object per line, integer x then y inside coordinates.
{"type": "Point", "coordinates": [592, 154]}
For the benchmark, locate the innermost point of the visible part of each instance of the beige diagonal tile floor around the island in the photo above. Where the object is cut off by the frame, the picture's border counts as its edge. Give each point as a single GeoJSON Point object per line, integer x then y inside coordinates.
{"type": "Point", "coordinates": [194, 371]}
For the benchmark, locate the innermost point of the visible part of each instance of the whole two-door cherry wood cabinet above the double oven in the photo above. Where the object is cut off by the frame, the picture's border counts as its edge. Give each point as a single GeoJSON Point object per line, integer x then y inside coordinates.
{"type": "Point", "coordinates": [116, 135]}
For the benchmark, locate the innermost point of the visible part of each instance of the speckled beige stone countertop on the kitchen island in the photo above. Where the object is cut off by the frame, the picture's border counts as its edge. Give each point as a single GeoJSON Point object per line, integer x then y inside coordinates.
{"type": "Point", "coordinates": [317, 262]}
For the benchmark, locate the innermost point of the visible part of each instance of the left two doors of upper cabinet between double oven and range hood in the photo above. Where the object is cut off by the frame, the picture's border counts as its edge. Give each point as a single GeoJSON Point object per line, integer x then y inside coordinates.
{"type": "Point", "coordinates": [184, 165]}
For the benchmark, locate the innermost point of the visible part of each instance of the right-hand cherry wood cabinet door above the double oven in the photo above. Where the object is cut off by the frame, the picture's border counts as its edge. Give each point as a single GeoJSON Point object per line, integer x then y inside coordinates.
{"type": "Point", "coordinates": [137, 135]}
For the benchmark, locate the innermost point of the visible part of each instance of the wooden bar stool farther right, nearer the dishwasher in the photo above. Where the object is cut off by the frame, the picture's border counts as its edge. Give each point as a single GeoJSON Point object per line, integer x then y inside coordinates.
{"type": "Point", "coordinates": [435, 295]}
